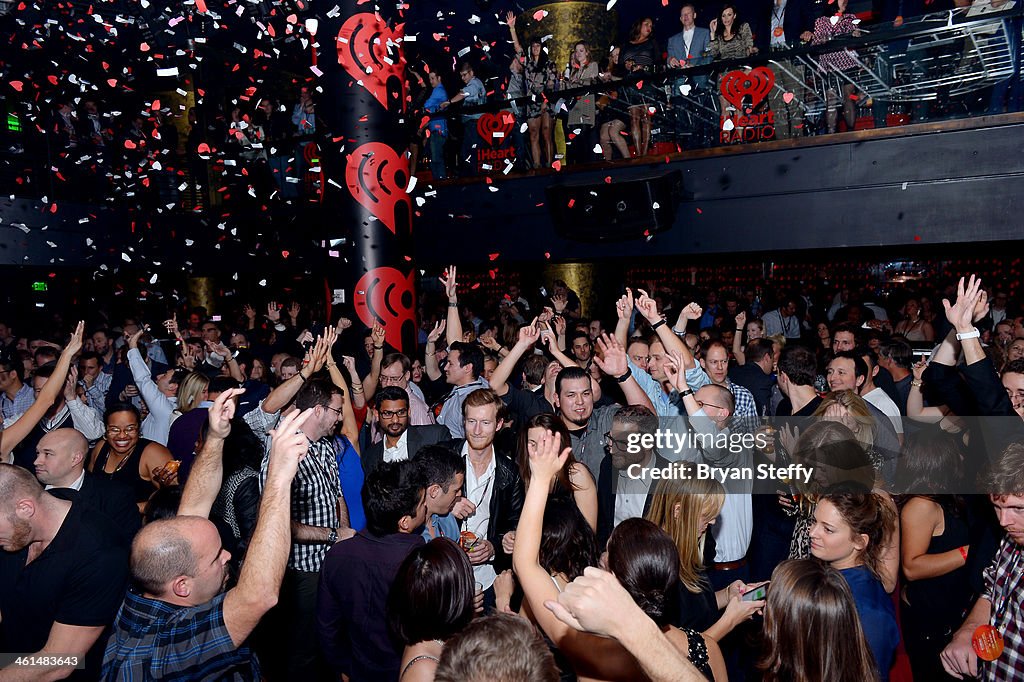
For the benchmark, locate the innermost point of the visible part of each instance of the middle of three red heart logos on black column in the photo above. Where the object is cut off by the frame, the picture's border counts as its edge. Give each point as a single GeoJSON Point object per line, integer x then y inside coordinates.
{"type": "Point", "coordinates": [377, 177]}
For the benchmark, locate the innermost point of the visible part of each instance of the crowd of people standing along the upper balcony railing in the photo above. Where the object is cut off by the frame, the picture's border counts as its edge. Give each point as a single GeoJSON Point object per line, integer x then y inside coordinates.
{"type": "Point", "coordinates": [690, 111]}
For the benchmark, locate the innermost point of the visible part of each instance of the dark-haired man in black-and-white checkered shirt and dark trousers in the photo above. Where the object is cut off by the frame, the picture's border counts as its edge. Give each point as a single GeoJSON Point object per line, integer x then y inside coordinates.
{"type": "Point", "coordinates": [320, 520]}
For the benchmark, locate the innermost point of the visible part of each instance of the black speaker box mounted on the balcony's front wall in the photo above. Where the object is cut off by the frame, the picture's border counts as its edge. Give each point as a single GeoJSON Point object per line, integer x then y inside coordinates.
{"type": "Point", "coordinates": [616, 211]}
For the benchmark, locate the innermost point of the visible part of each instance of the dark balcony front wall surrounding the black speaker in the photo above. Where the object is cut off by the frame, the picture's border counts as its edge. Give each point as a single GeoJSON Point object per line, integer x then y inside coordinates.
{"type": "Point", "coordinates": [962, 186]}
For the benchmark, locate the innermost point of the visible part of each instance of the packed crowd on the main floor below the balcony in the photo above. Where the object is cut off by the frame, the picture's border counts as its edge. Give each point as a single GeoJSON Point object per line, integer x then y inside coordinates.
{"type": "Point", "coordinates": [249, 501]}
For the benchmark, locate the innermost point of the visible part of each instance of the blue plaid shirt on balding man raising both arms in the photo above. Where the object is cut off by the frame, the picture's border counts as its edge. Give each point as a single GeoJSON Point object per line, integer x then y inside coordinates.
{"type": "Point", "coordinates": [154, 641]}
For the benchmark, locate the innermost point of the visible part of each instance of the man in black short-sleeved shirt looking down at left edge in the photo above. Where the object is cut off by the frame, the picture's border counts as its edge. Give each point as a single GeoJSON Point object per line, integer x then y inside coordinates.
{"type": "Point", "coordinates": [63, 576]}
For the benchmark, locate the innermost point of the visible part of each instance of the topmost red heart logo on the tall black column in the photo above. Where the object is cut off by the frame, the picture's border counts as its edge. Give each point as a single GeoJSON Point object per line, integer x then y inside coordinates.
{"type": "Point", "coordinates": [371, 53]}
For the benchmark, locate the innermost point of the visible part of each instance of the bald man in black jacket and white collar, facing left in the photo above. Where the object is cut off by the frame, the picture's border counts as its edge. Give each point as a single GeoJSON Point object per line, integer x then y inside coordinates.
{"type": "Point", "coordinates": [61, 458]}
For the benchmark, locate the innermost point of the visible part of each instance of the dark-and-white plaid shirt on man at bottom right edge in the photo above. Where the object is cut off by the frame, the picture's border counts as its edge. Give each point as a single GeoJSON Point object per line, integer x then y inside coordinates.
{"type": "Point", "coordinates": [1003, 584]}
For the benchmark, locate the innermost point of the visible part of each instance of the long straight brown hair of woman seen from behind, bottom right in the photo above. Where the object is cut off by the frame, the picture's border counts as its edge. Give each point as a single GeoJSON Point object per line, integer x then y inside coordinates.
{"type": "Point", "coordinates": [812, 629]}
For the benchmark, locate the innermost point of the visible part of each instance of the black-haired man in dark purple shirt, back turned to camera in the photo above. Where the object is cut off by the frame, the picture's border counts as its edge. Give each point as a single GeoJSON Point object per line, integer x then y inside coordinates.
{"type": "Point", "coordinates": [352, 606]}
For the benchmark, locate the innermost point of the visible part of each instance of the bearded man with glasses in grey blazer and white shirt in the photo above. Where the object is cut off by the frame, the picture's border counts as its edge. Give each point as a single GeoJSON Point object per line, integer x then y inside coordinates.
{"type": "Point", "coordinates": [401, 442]}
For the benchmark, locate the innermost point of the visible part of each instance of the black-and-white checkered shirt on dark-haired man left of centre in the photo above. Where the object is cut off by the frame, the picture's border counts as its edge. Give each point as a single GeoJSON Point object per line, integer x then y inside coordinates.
{"type": "Point", "coordinates": [315, 500]}
